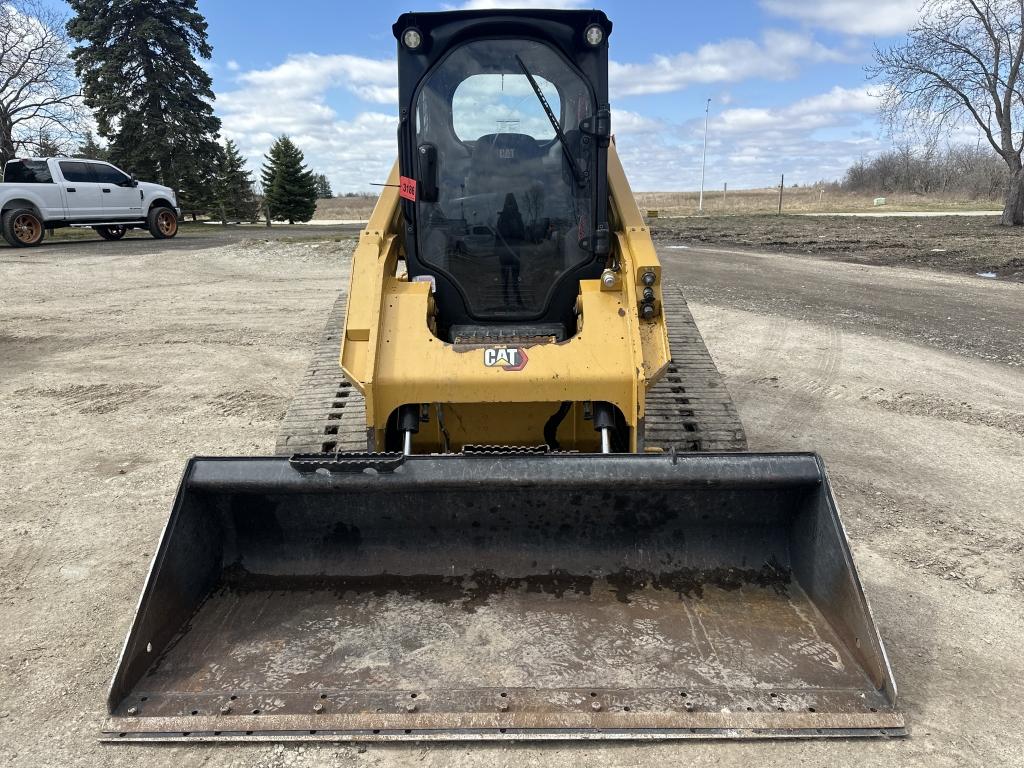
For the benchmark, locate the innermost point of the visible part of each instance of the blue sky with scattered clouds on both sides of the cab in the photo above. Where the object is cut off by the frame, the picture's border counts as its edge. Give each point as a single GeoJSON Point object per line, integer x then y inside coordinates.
{"type": "Point", "coordinates": [786, 78]}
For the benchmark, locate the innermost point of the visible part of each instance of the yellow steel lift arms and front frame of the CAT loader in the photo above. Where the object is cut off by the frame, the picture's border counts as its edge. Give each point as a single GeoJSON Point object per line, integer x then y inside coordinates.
{"type": "Point", "coordinates": [392, 355]}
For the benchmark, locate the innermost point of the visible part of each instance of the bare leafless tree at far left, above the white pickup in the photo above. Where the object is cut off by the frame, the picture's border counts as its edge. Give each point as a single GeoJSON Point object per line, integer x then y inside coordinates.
{"type": "Point", "coordinates": [40, 102]}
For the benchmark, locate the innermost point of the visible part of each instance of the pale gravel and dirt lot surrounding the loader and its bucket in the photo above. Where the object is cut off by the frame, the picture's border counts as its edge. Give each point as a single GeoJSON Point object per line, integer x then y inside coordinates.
{"type": "Point", "coordinates": [117, 363]}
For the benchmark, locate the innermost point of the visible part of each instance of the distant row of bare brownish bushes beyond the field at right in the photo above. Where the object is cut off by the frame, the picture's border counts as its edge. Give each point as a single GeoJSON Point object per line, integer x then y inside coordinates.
{"type": "Point", "coordinates": [959, 170]}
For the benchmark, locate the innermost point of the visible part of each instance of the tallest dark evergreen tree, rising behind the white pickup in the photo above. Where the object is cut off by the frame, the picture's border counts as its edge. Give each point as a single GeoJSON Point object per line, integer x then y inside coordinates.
{"type": "Point", "coordinates": [138, 64]}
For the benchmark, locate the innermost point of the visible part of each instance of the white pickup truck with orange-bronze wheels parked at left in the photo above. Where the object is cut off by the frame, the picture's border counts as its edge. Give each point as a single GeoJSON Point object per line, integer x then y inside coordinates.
{"type": "Point", "coordinates": [44, 194]}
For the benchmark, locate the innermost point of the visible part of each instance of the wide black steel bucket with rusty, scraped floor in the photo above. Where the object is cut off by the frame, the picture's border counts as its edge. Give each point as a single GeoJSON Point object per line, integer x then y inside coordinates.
{"type": "Point", "coordinates": [499, 596]}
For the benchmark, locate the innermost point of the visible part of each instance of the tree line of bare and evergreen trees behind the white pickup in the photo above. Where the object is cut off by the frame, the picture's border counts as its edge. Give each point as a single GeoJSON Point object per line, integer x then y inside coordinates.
{"type": "Point", "coordinates": [134, 67]}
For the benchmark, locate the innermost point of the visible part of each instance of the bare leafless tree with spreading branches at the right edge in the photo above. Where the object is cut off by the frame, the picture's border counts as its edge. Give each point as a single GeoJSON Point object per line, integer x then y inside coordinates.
{"type": "Point", "coordinates": [962, 64]}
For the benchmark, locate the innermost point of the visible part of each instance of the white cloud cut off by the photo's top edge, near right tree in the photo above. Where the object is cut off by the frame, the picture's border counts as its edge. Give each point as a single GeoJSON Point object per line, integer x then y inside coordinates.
{"type": "Point", "coordinates": [850, 17]}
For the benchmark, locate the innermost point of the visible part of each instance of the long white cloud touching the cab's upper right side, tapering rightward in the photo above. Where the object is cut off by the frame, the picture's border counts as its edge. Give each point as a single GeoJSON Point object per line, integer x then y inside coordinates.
{"type": "Point", "coordinates": [777, 58]}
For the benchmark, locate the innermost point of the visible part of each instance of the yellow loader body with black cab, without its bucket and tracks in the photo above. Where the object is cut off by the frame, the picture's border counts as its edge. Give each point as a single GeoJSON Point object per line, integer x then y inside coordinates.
{"type": "Point", "coordinates": [501, 210]}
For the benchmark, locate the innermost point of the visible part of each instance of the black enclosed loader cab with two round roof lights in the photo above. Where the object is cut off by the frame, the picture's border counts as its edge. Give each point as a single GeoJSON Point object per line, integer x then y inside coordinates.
{"type": "Point", "coordinates": [505, 130]}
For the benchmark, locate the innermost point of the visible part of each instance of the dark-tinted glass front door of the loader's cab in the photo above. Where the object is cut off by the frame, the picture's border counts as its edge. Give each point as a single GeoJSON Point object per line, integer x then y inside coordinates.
{"type": "Point", "coordinates": [510, 214]}
